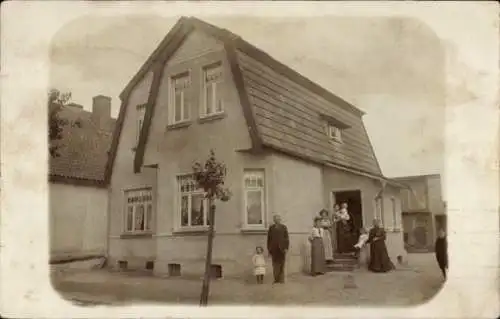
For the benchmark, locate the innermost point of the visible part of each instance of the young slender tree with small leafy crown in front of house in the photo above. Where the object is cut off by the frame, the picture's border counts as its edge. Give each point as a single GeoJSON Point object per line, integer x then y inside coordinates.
{"type": "Point", "coordinates": [210, 177]}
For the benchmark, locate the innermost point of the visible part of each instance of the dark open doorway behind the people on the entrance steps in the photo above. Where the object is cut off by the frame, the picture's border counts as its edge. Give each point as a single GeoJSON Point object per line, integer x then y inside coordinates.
{"type": "Point", "coordinates": [347, 235]}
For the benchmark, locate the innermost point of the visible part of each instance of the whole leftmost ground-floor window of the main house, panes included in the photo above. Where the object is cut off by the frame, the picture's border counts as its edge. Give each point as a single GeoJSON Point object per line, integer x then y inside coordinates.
{"type": "Point", "coordinates": [139, 210]}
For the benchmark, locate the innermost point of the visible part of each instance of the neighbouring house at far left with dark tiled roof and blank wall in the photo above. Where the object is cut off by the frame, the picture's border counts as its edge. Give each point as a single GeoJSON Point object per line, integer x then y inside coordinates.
{"type": "Point", "coordinates": [77, 188]}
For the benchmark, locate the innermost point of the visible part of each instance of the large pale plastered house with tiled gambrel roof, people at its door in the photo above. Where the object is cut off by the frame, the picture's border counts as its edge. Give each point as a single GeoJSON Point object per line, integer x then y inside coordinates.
{"type": "Point", "coordinates": [290, 146]}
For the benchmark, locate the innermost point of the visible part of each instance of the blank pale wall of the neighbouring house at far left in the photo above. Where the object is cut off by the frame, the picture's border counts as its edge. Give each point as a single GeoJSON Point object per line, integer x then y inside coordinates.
{"type": "Point", "coordinates": [77, 220]}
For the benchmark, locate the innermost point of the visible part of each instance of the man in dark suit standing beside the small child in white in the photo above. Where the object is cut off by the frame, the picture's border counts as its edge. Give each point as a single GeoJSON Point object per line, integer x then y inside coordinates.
{"type": "Point", "coordinates": [277, 245]}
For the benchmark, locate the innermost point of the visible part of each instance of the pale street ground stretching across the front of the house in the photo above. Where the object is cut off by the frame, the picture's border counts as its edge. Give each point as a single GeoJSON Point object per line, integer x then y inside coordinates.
{"type": "Point", "coordinates": [404, 286]}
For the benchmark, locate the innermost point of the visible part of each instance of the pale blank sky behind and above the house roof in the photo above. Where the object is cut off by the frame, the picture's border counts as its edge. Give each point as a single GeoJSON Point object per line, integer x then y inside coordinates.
{"type": "Point", "coordinates": [392, 67]}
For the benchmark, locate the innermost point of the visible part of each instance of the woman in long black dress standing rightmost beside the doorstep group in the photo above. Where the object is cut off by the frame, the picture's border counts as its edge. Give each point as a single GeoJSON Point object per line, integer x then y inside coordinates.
{"type": "Point", "coordinates": [379, 258]}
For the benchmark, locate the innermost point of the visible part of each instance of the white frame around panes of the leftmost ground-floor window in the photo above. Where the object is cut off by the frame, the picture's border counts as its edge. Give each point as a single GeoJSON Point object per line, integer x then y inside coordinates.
{"type": "Point", "coordinates": [148, 224]}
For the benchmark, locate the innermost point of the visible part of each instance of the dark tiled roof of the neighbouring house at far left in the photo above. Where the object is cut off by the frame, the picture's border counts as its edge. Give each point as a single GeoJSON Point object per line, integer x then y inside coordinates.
{"type": "Point", "coordinates": [83, 150]}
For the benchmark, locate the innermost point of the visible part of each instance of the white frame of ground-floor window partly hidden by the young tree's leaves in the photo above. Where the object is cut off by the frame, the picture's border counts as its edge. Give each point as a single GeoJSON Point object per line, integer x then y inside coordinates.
{"type": "Point", "coordinates": [178, 206]}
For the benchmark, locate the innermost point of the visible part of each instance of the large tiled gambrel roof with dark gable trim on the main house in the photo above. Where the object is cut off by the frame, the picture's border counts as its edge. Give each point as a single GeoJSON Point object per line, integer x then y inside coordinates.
{"type": "Point", "coordinates": [267, 129]}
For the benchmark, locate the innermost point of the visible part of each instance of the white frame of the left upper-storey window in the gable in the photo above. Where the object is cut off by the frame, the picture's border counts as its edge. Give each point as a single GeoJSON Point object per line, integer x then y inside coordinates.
{"type": "Point", "coordinates": [171, 98]}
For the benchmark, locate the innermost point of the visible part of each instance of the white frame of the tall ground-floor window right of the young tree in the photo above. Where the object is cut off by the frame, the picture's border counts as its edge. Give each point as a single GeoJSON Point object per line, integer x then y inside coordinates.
{"type": "Point", "coordinates": [263, 201]}
